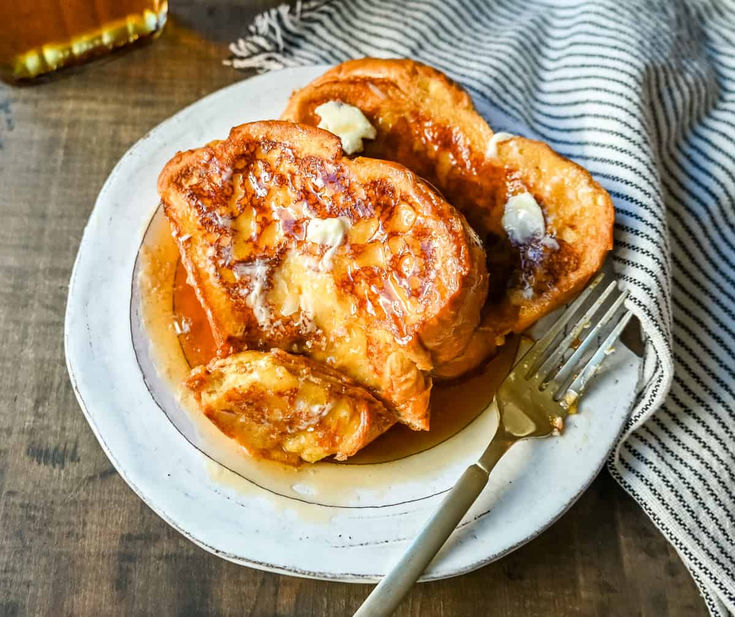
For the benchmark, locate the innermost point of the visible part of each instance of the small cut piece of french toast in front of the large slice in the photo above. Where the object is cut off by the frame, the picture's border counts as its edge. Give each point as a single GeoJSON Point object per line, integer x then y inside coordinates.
{"type": "Point", "coordinates": [287, 408]}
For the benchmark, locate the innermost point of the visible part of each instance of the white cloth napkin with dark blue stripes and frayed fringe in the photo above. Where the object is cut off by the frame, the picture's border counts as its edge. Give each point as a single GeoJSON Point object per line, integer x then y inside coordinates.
{"type": "Point", "coordinates": [643, 95]}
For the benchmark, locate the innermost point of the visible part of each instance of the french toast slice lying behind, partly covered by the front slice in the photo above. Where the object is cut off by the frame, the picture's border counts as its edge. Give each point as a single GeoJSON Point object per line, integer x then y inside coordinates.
{"type": "Point", "coordinates": [428, 123]}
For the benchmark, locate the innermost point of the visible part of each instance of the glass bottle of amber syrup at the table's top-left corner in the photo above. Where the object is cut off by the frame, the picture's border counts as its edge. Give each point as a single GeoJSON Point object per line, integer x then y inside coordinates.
{"type": "Point", "coordinates": [40, 36]}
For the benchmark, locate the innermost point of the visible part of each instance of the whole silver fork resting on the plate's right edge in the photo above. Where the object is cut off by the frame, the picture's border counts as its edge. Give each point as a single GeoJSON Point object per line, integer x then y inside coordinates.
{"type": "Point", "coordinates": [533, 401]}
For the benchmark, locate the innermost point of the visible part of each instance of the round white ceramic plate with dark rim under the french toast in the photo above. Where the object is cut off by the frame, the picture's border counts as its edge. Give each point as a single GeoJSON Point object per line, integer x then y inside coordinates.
{"type": "Point", "coordinates": [329, 521]}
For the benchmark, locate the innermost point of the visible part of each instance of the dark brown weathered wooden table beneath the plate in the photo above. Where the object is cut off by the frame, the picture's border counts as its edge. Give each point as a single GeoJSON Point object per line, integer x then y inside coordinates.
{"type": "Point", "coordinates": [74, 539]}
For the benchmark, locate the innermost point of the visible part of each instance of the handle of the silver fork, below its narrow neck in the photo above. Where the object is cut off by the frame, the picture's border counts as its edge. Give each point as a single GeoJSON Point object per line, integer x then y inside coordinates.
{"type": "Point", "coordinates": [384, 599]}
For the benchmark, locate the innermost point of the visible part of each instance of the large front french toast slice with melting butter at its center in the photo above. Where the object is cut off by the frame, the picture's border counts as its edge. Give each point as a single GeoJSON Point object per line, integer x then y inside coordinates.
{"type": "Point", "coordinates": [356, 263]}
